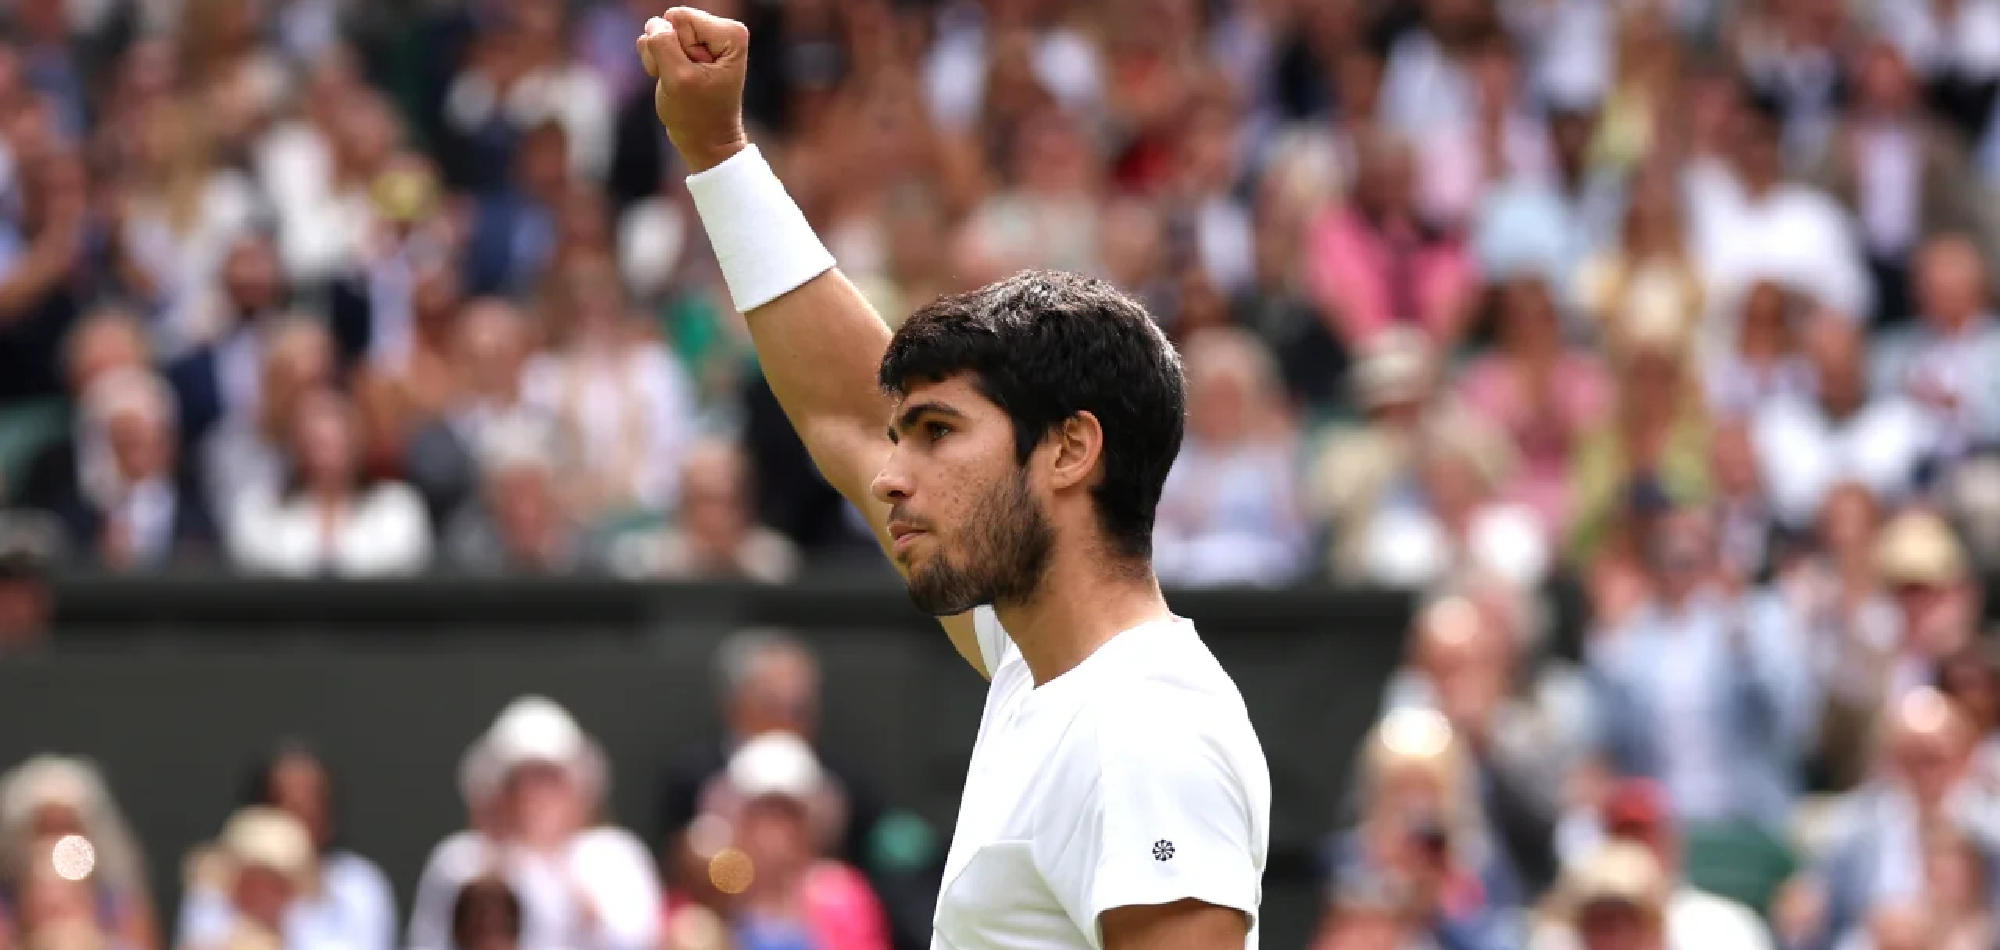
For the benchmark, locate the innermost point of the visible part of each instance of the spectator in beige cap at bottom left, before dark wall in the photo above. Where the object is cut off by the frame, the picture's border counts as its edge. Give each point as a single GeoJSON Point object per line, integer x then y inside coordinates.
{"type": "Point", "coordinates": [263, 869]}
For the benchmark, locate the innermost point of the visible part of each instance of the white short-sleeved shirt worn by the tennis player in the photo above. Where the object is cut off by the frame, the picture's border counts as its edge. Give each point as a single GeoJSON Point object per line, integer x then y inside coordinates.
{"type": "Point", "coordinates": [1133, 779]}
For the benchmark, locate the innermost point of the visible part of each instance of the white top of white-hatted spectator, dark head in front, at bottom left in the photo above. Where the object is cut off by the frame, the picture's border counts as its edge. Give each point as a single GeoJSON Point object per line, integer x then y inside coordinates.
{"type": "Point", "coordinates": [605, 865]}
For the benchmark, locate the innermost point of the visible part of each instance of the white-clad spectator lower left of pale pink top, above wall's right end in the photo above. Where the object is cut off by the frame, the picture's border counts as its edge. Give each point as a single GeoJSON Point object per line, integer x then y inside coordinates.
{"type": "Point", "coordinates": [1449, 515]}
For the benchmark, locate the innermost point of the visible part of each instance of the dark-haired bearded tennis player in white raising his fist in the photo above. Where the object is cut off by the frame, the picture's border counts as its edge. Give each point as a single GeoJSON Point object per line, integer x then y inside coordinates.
{"type": "Point", "coordinates": [1009, 445]}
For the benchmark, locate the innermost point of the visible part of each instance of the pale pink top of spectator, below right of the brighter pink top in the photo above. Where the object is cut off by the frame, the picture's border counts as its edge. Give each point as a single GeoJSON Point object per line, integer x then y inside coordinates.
{"type": "Point", "coordinates": [1581, 395]}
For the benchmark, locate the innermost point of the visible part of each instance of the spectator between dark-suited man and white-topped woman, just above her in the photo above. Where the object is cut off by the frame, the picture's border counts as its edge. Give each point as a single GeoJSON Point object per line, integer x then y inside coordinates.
{"type": "Point", "coordinates": [245, 453]}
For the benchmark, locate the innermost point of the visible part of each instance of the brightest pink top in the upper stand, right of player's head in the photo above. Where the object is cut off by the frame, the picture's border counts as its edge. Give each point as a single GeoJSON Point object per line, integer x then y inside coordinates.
{"type": "Point", "coordinates": [1367, 287]}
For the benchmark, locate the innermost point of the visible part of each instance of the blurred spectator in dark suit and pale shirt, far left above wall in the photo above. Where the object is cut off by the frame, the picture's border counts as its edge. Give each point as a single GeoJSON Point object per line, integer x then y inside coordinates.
{"type": "Point", "coordinates": [121, 491]}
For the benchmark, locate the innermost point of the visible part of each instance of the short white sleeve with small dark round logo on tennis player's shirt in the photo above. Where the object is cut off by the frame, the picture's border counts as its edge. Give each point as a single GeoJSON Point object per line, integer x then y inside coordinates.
{"type": "Point", "coordinates": [1169, 817]}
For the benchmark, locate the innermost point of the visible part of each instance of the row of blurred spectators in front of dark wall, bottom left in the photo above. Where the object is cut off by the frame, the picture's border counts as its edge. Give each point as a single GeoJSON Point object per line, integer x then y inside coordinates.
{"type": "Point", "coordinates": [765, 847]}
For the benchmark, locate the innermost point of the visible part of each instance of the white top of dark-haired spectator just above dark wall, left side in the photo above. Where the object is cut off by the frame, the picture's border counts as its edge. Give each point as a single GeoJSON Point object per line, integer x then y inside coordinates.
{"type": "Point", "coordinates": [383, 533]}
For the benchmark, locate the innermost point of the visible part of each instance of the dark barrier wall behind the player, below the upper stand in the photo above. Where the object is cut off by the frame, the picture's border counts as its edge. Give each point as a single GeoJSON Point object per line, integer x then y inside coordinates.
{"type": "Point", "coordinates": [175, 687]}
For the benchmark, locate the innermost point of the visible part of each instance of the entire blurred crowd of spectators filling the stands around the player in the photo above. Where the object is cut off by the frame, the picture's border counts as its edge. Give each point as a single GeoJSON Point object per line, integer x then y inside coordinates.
{"type": "Point", "coordinates": [1689, 301]}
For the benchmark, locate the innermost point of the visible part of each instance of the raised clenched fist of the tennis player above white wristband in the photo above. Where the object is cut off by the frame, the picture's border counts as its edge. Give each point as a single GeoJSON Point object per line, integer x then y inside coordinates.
{"type": "Point", "coordinates": [699, 63]}
